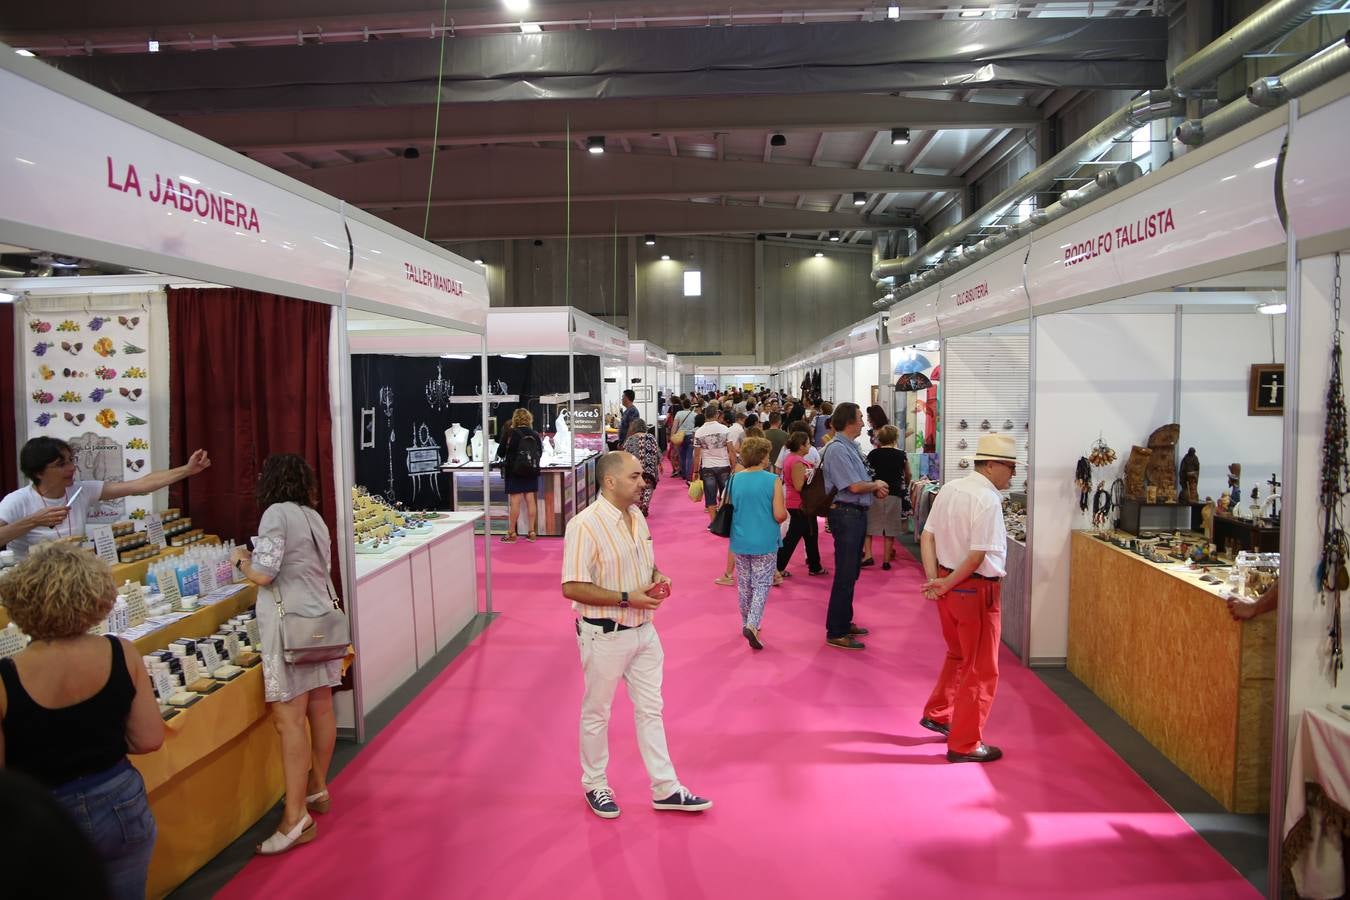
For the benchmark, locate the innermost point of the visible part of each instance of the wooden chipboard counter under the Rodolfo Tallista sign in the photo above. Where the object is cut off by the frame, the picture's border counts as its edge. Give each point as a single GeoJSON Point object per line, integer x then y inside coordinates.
{"type": "Point", "coordinates": [1162, 650]}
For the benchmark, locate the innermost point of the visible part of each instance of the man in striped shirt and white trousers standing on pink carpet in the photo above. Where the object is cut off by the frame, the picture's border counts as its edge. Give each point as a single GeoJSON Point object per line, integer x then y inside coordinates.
{"type": "Point", "coordinates": [615, 586]}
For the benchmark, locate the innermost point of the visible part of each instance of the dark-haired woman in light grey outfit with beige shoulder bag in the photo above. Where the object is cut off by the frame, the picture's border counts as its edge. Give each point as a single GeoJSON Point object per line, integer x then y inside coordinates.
{"type": "Point", "coordinates": [291, 563]}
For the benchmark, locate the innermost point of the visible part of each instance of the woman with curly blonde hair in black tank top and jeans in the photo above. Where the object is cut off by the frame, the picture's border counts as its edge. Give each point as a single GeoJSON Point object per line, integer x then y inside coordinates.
{"type": "Point", "coordinates": [74, 706]}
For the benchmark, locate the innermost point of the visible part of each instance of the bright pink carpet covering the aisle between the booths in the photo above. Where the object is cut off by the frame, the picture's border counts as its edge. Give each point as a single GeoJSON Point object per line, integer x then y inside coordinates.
{"type": "Point", "coordinates": [824, 783]}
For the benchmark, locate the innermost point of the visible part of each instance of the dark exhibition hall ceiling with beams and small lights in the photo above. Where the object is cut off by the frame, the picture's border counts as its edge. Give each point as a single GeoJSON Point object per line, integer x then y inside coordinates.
{"type": "Point", "coordinates": [755, 118]}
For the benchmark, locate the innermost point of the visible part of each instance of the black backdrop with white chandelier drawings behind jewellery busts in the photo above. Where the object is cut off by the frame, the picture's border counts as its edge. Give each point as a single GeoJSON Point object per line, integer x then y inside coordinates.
{"type": "Point", "coordinates": [400, 435]}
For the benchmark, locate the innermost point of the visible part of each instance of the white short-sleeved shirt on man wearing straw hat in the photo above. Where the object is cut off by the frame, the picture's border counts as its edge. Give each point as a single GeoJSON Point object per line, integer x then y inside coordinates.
{"type": "Point", "coordinates": [969, 516]}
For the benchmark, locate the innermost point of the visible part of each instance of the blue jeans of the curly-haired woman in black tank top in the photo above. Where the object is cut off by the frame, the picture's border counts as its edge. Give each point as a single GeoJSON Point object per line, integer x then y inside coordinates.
{"type": "Point", "coordinates": [113, 810]}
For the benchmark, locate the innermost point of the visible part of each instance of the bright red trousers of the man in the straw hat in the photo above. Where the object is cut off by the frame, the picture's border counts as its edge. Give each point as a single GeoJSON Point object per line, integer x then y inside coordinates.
{"type": "Point", "coordinates": [965, 693]}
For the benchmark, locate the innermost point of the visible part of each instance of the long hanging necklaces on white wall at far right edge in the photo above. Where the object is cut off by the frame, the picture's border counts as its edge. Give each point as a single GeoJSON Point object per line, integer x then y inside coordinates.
{"type": "Point", "coordinates": [1333, 574]}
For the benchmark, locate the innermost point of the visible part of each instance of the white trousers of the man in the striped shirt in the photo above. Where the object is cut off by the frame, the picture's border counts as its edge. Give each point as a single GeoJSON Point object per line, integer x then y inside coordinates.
{"type": "Point", "coordinates": [635, 656]}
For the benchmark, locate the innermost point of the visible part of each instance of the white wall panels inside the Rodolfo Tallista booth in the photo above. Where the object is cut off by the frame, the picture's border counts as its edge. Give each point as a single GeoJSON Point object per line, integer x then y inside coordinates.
{"type": "Point", "coordinates": [1118, 374]}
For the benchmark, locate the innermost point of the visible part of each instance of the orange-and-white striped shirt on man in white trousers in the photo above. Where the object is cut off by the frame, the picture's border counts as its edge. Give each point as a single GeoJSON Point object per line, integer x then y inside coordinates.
{"type": "Point", "coordinates": [600, 550]}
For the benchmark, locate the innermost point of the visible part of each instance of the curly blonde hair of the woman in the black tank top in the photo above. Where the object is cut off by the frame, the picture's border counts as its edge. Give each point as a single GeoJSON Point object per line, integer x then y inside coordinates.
{"type": "Point", "coordinates": [59, 592]}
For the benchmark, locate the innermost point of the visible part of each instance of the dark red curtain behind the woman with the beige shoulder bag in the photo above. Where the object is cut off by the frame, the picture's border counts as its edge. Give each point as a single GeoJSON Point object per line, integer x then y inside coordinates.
{"type": "Point", "coordinates": [249, 377]}
